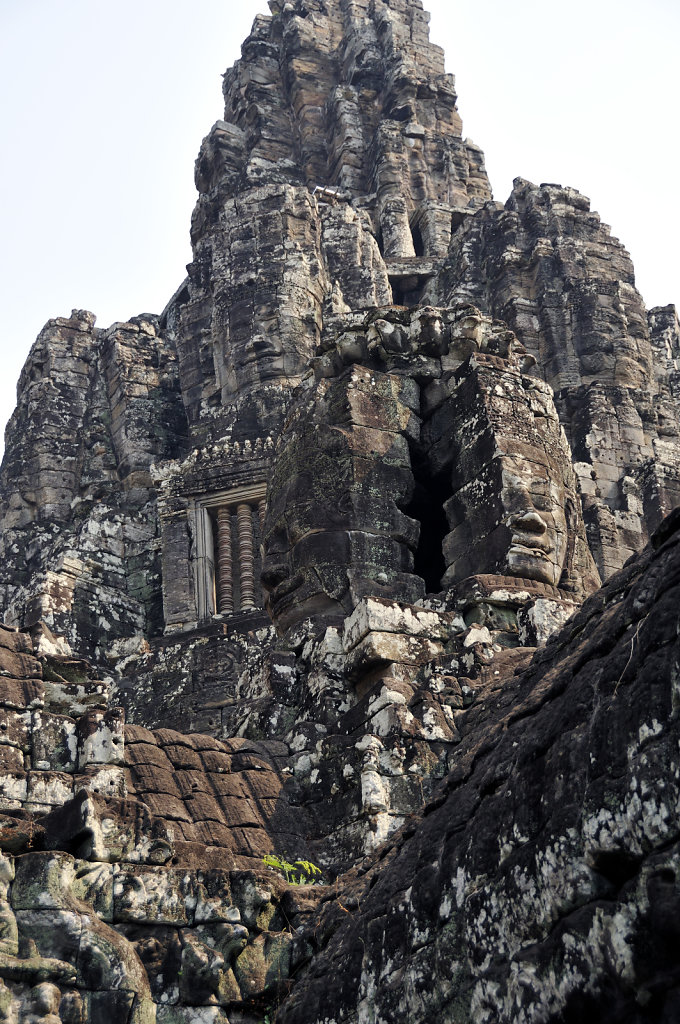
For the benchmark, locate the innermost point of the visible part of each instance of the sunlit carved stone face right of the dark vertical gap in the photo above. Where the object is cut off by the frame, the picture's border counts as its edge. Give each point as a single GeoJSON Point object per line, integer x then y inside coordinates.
{"type": "Point", "coordinates": [515, 507]}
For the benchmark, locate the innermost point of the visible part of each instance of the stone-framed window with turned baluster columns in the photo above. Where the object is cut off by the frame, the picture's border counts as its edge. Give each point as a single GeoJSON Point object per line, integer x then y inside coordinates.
{"type": "Point", "coordinates": [228, 542]}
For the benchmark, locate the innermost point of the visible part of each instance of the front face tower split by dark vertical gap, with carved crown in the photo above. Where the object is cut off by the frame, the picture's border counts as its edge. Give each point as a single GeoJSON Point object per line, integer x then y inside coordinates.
{"type": "Point", "coordinates": [443, 463]}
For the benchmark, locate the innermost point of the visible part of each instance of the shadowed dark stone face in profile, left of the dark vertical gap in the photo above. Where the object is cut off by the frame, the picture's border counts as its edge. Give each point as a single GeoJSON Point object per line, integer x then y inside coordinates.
{"type": "Point", "coordinates": [334, 531]}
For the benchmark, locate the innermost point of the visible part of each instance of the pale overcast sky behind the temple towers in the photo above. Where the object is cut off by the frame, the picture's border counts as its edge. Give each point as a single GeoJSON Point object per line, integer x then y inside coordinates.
{"type": "Point", "coordinates": [105, 106]}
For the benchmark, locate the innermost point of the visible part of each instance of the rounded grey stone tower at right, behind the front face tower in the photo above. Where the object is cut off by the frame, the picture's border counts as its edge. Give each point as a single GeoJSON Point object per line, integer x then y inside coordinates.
{"type": "Point", "coordinates": [547, 266]}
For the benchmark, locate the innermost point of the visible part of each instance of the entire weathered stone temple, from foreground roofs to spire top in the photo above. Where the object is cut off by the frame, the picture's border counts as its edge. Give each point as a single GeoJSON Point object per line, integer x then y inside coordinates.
{"type": "Point", "coordinates": [303, 579]}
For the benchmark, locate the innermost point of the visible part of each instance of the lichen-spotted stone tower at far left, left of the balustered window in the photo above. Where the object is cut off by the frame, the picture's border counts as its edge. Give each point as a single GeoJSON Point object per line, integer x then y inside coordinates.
{"type": "Point", "coordinates": [80, 531]}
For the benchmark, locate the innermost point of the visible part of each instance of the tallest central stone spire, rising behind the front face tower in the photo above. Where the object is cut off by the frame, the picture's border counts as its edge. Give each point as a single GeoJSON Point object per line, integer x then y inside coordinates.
{"type": "Point", "coordinates": [339, 162]}
